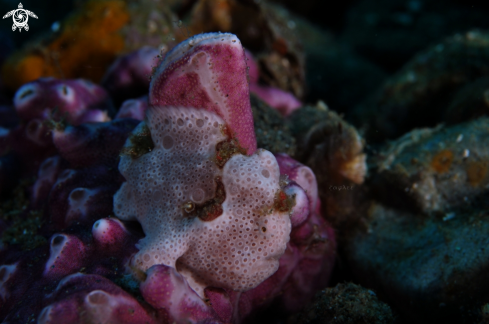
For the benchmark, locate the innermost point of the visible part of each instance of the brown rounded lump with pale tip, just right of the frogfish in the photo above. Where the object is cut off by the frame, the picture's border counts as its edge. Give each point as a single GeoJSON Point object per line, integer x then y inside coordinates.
{"type": "Point", "coordinates": [334, 151]}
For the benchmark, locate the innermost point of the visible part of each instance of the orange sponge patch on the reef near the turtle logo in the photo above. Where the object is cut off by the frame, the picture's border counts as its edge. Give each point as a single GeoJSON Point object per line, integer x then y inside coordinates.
{"type": "Point", "coordinates": [87, 43]}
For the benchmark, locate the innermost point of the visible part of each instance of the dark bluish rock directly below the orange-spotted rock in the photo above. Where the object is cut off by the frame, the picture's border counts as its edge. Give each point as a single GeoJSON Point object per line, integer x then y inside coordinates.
{"type": "Point", "coordinates": [407, 256]}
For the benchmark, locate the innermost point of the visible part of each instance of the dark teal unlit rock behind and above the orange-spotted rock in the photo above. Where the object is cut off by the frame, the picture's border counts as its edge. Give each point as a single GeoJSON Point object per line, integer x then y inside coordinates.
{"type": "Point", "coordinates": [420, 88]}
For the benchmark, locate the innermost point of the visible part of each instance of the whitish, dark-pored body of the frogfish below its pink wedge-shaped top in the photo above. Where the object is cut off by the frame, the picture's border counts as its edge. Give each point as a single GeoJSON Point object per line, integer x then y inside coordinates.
{"type": "Point", "coordinates": [237, 250]}
